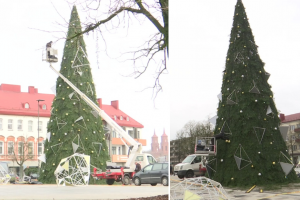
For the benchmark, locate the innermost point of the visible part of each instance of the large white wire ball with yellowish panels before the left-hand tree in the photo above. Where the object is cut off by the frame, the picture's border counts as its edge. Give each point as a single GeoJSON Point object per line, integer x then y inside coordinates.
{"type": "Point", "coordinates": [73, 170]}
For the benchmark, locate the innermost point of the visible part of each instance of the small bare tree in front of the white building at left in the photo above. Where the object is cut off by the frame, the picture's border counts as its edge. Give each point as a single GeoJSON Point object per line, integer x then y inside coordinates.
{"type": "Point", "coordinates": [21, 154]}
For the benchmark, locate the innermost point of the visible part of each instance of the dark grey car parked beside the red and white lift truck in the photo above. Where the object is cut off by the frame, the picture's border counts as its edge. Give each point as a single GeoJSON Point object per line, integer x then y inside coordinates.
{"type": "Point", "coordinates": [153, 174]}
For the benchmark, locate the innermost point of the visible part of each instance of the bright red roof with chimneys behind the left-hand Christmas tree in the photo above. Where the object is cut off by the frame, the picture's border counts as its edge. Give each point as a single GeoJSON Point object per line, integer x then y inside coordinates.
{"type": "Point", "coordinates": [12, 102]}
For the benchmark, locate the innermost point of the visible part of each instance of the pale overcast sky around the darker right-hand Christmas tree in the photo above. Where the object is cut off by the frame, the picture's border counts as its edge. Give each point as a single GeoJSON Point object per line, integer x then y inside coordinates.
{"type": "Point", "coordinates": [199, 40]}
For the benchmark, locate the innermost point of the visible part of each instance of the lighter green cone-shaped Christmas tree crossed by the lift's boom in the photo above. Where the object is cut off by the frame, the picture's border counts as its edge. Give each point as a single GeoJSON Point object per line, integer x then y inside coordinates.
{"type": "Point", "coordinates": [72, 123]}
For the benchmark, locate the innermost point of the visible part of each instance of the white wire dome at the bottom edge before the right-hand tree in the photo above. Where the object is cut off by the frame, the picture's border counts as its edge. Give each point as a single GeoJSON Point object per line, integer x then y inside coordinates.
{"type": "Point", "coordinates": [198, 188]}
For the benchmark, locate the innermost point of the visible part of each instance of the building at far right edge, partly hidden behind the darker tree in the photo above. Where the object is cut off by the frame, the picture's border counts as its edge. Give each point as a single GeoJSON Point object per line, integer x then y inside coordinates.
{"type": "Point", "coordinates": [293, 136]}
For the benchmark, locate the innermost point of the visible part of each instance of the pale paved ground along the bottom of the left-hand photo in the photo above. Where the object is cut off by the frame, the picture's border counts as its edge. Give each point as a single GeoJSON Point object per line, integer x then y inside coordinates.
{"type": "Point", "coordinates": [54, 192]}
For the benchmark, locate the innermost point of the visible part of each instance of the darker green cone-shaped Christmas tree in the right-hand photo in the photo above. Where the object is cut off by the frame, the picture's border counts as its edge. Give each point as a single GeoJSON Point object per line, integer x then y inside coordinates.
{"type": "Point", "coordinates": [254, 145]}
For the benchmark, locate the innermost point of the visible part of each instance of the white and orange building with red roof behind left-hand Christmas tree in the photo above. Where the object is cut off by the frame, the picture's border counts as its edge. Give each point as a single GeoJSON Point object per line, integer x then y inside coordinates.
{"type": "Point", "coordinates": [19, 122]}
